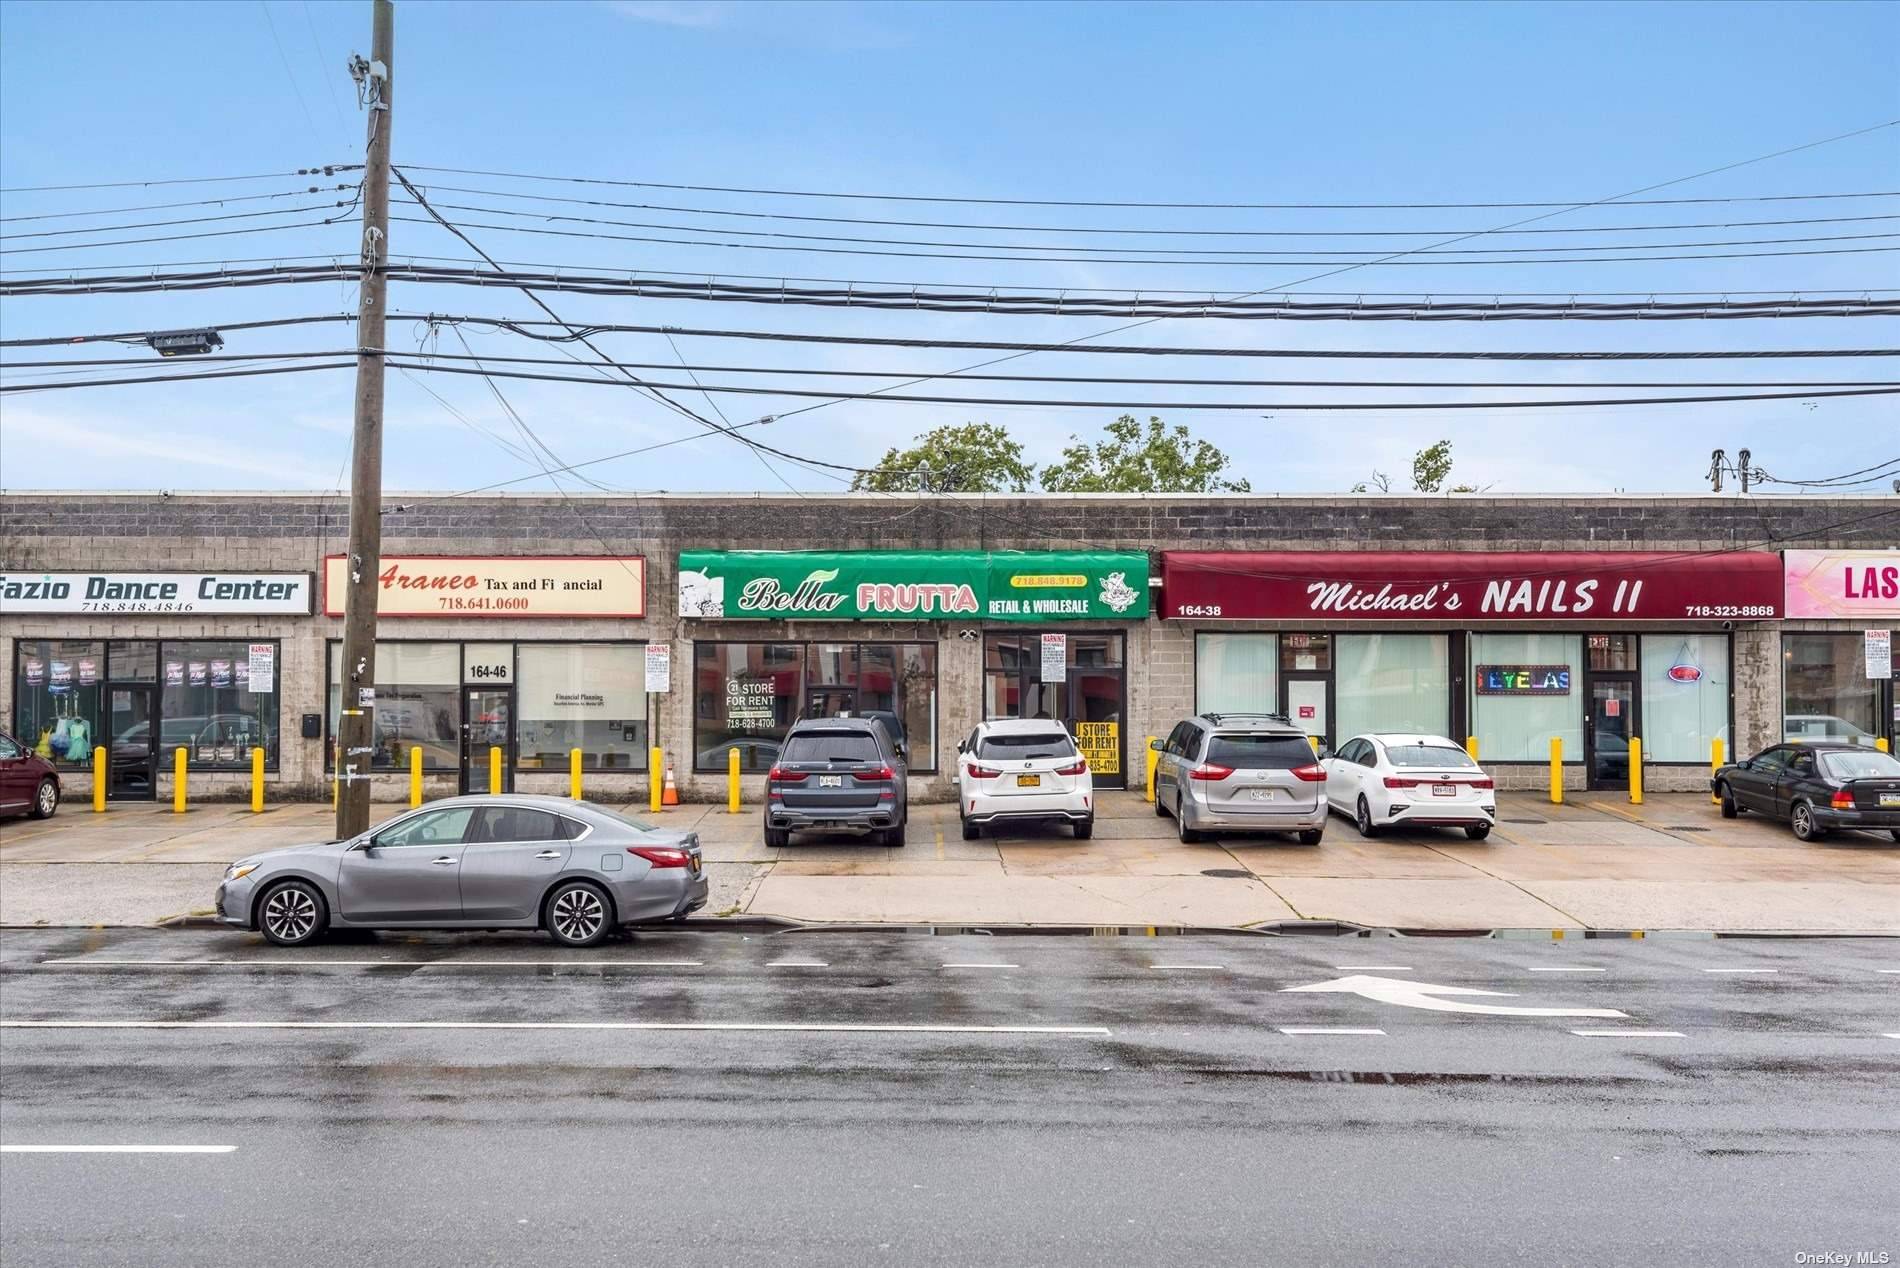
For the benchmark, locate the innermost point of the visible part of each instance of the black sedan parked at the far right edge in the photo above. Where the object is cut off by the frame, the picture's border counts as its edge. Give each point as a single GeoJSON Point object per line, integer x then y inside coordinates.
{"type": "Point", "coordinates": [1817, 788]}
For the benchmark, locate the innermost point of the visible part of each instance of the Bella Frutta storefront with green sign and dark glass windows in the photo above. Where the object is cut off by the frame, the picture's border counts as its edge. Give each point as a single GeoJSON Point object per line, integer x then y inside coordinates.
{"type": "Point", "coordinates": [869, 632]}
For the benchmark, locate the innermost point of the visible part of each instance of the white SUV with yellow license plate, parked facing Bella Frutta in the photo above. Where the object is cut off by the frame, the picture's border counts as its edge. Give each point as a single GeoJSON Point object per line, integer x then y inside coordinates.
{"type": "Point", "coordinates": [1023, 771]}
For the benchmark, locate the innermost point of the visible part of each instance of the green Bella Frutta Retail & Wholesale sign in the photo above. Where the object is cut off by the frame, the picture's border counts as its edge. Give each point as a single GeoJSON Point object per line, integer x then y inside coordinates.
{"type": "Point", "coordinates": [867, 586]}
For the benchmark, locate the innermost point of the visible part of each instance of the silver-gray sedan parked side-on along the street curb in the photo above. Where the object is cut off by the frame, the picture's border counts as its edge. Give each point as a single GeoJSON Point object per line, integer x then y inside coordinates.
{"type": "Point", "coordinates": [506, 862]}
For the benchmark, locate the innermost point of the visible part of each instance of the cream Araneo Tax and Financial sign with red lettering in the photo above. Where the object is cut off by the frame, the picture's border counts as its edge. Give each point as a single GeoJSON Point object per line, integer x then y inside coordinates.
{"type": "Point", "coordinates": [499, 586]}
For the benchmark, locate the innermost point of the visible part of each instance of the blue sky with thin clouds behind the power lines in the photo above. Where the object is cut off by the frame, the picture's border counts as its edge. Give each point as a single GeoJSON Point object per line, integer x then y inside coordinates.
{"type": "Point", "coordinates": [1069, 102]}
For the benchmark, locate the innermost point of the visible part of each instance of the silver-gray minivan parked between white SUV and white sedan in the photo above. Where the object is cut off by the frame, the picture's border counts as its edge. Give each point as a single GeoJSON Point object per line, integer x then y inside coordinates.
{"type": "Point", "coordinates": [1242, 773]}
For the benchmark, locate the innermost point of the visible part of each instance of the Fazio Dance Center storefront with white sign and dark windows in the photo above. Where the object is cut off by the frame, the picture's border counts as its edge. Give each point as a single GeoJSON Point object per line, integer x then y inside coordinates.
{"type": "Point", "coordinates": [143, 699]}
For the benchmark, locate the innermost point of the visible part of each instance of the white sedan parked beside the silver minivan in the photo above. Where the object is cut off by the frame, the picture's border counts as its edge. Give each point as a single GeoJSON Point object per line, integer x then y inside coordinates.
{"type": "Point", "coordinates": [1397, 780]}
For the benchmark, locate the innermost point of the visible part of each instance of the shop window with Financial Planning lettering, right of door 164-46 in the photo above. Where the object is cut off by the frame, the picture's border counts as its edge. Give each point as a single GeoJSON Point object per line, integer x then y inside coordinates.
{"type": "Point", "coordinates": [588, 697]}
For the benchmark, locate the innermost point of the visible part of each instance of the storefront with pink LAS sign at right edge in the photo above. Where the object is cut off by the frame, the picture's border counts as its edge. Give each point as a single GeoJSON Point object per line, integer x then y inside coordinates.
{"type": "Point", "coordinates": [1836, 645]}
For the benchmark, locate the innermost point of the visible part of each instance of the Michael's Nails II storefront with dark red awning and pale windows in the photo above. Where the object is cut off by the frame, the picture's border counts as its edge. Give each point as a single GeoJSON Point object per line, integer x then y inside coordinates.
{"type": "Point", "coordinates": [1510, 649]}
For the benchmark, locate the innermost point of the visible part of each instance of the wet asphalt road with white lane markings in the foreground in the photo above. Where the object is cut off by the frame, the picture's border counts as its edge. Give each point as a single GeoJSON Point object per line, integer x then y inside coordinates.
{"type": "Point", "coordinates": [865, 1098]}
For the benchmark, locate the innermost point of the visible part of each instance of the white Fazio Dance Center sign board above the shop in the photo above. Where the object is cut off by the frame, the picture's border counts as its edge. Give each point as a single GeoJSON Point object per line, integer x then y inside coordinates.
{"type": "Point", "coordinates": [159, 594]}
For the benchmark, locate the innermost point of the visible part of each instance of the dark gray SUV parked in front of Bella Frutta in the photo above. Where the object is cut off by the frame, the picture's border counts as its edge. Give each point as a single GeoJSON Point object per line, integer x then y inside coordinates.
{"type": "Point", "coordinates": [837, 775]}
